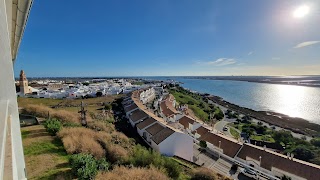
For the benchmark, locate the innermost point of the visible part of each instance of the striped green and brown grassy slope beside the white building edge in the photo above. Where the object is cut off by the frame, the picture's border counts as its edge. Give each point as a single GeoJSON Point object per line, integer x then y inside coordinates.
{"type": "Point", "coordinates": [45, 156]}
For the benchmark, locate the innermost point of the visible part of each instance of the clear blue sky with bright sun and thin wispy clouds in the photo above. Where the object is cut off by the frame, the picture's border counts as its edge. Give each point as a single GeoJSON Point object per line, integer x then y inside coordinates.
{"type": "Point", "coordinates": [80, 38]}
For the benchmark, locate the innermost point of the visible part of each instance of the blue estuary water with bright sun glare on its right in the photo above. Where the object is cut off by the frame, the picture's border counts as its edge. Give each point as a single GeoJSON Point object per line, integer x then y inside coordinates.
{"type": "Point", "coordinates": [295, 101]}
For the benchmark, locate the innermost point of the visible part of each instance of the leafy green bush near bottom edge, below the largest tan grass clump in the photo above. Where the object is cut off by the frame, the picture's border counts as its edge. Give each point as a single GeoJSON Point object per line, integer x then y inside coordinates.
{"type": "Point", "coordinates": [84, 166]}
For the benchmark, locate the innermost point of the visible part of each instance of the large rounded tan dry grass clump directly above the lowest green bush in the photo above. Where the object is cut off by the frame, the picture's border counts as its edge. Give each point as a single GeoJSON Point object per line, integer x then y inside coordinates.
{"type": "Point", "coordinates": [82, 140]}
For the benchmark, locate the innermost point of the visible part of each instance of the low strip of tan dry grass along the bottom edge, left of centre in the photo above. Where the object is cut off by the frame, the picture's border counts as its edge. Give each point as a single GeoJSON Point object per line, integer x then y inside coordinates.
{"type": "Point", "coordinates": [123, 173]}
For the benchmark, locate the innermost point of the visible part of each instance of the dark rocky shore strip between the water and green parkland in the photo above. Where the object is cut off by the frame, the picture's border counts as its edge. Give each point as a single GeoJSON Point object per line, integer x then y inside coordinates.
{"type": "Point", "coordinates": [294, 124]}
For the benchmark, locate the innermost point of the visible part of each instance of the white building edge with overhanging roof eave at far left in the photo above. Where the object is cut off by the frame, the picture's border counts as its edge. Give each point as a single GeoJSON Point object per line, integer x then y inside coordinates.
{"type": "Point", "coordinates": [13, 18]}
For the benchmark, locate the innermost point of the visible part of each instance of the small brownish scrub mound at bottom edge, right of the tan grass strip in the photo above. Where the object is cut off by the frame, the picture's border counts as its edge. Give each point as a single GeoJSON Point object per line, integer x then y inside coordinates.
{"type": "Point", "coordinates": [207, 174]}
